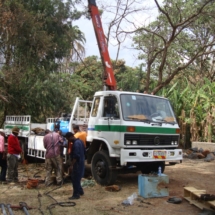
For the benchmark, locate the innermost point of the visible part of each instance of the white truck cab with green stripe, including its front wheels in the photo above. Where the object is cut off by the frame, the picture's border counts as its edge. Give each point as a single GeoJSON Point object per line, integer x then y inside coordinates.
{"type": "Point", "coordinates": [127, 130]}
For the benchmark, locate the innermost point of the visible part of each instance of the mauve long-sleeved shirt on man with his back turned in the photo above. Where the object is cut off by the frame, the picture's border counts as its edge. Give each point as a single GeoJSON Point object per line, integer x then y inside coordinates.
{"type": "Point", "coordinates": [51, 144]}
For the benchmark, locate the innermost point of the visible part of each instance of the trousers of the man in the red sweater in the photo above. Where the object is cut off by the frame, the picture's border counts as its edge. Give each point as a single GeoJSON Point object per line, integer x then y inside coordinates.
{"type": "Point", "coordinates": [12, 162]}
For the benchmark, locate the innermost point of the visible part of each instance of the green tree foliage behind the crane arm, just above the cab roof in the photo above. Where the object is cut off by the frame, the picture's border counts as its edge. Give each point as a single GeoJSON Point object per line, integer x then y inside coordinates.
{"type": "Point", "coordinates": [88, 77]}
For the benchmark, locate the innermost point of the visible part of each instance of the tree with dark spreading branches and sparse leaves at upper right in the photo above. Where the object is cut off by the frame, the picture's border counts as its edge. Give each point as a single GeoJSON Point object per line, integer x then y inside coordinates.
{"type": "Point", "coordinates": [182, 34]}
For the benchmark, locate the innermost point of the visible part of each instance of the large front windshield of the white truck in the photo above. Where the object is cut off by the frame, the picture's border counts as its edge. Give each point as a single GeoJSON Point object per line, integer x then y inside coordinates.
{"type": "Point", "coordinates": [147, 109]}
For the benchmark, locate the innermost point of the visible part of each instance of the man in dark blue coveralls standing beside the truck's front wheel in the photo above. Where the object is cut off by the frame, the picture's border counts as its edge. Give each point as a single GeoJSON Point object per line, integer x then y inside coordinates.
{"type": "Point", "coordinates": [76, 168]}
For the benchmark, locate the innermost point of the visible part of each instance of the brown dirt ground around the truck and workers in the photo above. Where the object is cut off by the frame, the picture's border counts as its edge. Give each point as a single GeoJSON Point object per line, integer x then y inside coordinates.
{"type": "Point", "coordinates": [98, 201]}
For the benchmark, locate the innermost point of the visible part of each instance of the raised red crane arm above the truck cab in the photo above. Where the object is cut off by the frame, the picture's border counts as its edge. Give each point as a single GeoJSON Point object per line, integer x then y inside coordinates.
{"type": "Point", "coordinates": [109, 78]}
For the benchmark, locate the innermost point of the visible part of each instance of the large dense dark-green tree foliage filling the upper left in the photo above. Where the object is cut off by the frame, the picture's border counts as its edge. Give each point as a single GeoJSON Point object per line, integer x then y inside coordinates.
{"type": "Point", "coordinates": [35, 38]}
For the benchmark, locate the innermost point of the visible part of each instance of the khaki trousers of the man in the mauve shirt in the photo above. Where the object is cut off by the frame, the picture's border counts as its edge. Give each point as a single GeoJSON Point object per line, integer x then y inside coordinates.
{"type": "Point", "coordinates": [56, 164]}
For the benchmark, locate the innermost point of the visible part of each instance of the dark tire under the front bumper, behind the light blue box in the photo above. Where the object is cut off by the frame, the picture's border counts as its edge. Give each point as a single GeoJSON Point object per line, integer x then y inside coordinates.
{"type": "Point", "coordinates": [149, 167]}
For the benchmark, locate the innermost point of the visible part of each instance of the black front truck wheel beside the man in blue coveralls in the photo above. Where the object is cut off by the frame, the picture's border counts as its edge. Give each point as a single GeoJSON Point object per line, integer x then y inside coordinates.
{"type": "Point", "coordinates": [101, 168]}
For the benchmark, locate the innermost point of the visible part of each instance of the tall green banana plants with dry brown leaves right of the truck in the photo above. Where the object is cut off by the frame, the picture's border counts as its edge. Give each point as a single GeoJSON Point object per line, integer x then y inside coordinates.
{"type": "Point", "coordinates": [194, 106]}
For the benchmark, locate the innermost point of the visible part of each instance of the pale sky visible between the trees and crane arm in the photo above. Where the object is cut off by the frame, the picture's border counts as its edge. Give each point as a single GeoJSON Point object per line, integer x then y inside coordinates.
{"type": "Point", "coordinates": [127, 52]}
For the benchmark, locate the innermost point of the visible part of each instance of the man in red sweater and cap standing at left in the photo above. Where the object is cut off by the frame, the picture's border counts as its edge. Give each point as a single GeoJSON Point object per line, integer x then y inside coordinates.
{"type": "Point", "coordinates": [13, 155]}
